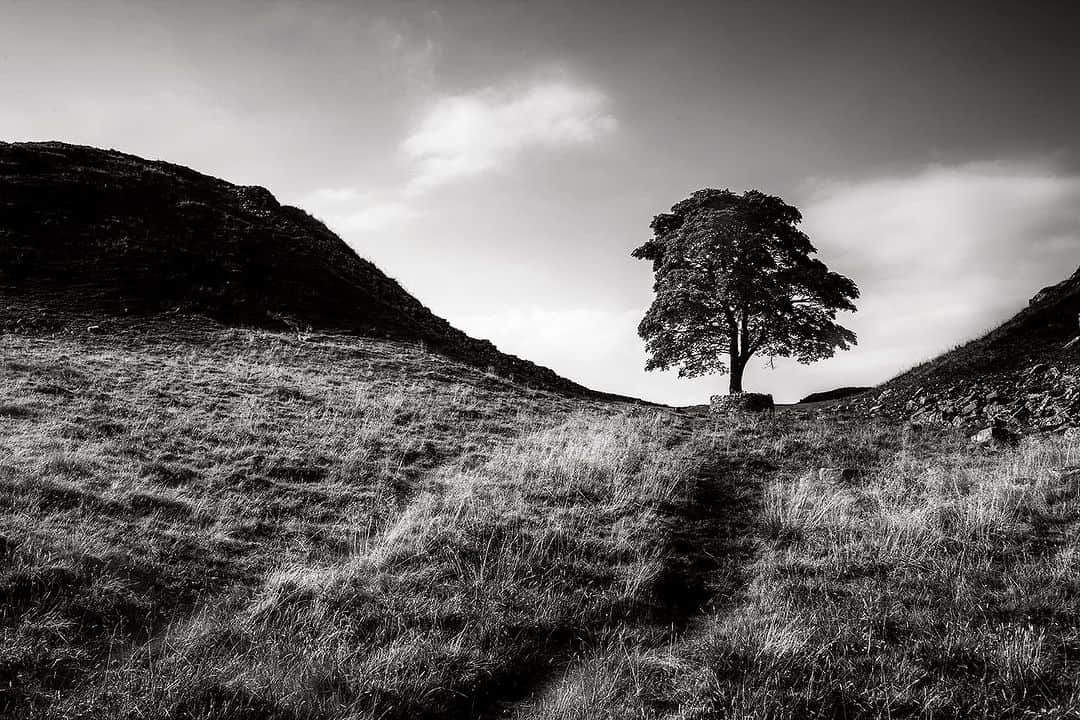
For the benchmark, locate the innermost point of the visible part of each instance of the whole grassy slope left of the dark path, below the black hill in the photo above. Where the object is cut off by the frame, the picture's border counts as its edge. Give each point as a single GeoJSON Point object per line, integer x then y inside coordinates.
{"type": "Point", "coordinates": [250, 526]}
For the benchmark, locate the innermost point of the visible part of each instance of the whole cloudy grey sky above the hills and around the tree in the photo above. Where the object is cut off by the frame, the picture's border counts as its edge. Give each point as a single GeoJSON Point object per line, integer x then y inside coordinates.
{"type": "Point", "coordinates": [502, 159]}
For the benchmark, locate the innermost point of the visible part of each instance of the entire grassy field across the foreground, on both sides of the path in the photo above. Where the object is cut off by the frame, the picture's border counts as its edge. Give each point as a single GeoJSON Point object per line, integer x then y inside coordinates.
{"type": "Point", "coordinates": [234, 524]}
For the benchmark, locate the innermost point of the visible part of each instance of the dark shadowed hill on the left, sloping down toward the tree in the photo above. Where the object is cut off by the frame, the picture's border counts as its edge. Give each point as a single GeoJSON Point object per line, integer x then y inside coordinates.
{"type": "Point", "coordinates": [89, 234]}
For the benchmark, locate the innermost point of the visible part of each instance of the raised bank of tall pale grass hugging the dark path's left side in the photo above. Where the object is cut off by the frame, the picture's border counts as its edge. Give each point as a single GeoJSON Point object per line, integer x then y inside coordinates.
{"type": "Point", "coordinates": [478, 580]}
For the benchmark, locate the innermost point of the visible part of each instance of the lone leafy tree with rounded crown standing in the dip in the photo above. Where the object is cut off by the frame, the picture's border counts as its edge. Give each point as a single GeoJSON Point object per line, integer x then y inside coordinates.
{"type": "Point", "coordinates": [734, 278]}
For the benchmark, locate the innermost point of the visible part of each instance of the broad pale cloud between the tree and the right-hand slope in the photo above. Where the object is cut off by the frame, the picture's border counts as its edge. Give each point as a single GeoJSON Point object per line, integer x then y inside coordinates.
{"type": "Point", "coordinates": [941, 255]}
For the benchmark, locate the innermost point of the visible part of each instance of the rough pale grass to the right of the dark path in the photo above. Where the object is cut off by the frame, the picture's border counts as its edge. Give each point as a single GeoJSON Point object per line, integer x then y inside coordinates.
{"type": "Point", "coordinates": [943, 583]}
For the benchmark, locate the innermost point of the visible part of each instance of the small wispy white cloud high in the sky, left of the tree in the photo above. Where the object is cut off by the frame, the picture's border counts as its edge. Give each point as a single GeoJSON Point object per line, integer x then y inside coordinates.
{"type": "Point", "coordinates": [465, 135]}
